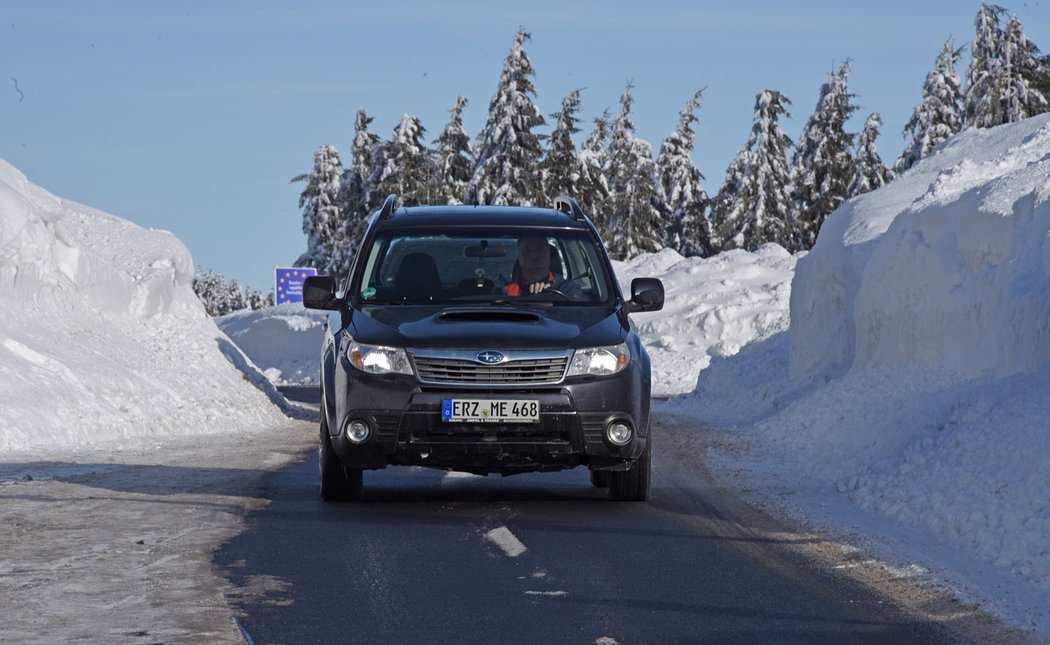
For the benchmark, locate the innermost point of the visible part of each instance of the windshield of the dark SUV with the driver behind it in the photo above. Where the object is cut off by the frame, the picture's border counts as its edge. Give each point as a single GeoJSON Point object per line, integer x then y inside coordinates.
{"type": "Point", "coordinates": [503, 266]}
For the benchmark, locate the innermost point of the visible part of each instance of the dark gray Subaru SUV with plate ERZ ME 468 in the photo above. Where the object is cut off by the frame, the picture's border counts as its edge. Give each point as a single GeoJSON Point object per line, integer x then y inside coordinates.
{"type": "Point", "coordinates": [484, 340]}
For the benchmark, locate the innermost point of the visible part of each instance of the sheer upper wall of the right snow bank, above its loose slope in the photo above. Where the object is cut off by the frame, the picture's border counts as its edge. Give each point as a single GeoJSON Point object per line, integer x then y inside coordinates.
{"type": "Point", "coordinates": [949, 269]}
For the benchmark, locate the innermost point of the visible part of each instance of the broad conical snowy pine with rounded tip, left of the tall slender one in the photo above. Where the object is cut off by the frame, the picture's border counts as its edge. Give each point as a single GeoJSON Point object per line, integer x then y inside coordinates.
{"type": "Point", "coordinates": [755, 205]}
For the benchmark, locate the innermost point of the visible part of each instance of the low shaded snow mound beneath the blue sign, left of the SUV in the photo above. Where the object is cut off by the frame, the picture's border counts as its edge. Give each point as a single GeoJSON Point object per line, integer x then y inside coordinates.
{"type": "Point", "coordinates": [285, 342]}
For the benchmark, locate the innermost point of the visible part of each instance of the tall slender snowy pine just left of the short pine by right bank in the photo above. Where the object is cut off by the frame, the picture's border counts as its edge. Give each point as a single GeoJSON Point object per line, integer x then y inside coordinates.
{"type": "Point", "coordinates": [824, 162]}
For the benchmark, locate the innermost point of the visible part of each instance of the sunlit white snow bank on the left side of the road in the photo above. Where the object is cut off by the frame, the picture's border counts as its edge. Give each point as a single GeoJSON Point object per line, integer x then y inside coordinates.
{"type": "Point", "coordinates": [102, 337]}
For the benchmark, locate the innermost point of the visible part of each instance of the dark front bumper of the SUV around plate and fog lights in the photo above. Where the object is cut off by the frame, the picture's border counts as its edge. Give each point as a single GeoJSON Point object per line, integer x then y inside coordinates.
{"type": "Point", "coordinates": [408, 430]}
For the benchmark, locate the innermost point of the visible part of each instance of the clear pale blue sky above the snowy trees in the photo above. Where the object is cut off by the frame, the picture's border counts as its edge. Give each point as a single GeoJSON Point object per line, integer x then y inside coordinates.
{"type": "Point", "coordinates": [193, 117]}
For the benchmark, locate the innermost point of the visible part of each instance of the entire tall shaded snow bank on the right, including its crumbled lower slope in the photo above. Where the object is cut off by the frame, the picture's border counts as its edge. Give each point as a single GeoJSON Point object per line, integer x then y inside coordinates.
{"type": "Point", "coordinates": [916, 373]}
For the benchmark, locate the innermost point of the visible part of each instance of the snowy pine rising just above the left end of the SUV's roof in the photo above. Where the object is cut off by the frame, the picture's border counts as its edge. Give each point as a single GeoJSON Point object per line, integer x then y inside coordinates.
{"type": "Point", "coordinates": [408, 169]}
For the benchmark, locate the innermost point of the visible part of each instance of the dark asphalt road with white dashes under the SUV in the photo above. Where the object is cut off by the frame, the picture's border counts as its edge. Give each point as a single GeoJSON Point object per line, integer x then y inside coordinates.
{"type": "Point", "coordinates": [435, 558]}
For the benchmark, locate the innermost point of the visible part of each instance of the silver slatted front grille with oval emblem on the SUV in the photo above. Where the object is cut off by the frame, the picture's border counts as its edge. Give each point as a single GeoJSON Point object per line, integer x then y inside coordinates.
{"type": "Point", "coordinates": [521, 370]}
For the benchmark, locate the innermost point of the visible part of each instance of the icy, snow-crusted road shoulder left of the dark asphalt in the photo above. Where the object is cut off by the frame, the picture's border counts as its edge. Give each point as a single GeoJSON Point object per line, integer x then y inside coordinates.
{"type": "Point", "coordinates": [115, 544]}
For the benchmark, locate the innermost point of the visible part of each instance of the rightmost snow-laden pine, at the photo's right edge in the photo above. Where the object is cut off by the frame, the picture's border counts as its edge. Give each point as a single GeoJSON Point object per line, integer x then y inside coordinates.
{"type": "Point", "coordinates": [1025, 86]}
